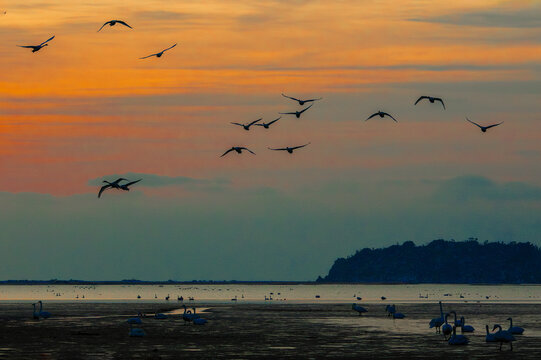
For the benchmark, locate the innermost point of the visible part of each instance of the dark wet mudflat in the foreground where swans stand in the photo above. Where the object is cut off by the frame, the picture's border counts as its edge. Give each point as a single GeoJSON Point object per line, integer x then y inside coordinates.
{"type": "Point", "coordinates": [99, 331]}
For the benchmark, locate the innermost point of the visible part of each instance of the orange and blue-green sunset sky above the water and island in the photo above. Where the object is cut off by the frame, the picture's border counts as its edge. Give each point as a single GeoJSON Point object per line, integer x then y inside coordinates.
{"type": "Point", "coordinates": [87, 109]}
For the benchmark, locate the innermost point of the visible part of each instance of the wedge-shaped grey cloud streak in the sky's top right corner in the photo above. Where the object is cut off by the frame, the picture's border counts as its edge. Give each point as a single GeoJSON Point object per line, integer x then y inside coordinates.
{"type": "Point", "coordinates": [501, 17]}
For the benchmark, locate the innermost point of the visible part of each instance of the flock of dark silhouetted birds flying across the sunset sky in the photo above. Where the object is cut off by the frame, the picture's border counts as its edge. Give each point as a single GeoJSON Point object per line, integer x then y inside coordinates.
{"type": "Point", "coordinates": [239, 149]}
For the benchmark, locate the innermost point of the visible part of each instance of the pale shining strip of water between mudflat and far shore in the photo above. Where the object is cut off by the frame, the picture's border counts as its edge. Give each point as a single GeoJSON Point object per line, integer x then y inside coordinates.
{"type": "Point", "coordinates": [276, 293]}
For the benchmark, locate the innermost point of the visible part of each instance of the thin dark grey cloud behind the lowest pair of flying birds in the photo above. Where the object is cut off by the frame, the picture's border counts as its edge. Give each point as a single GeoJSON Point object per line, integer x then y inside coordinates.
{"type": "Point", "coordinates": [153, 180]}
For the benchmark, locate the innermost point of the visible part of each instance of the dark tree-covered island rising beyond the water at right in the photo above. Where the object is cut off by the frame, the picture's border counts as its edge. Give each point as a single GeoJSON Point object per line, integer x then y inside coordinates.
{"type": "Point", "coordinates": [441, 261]}
